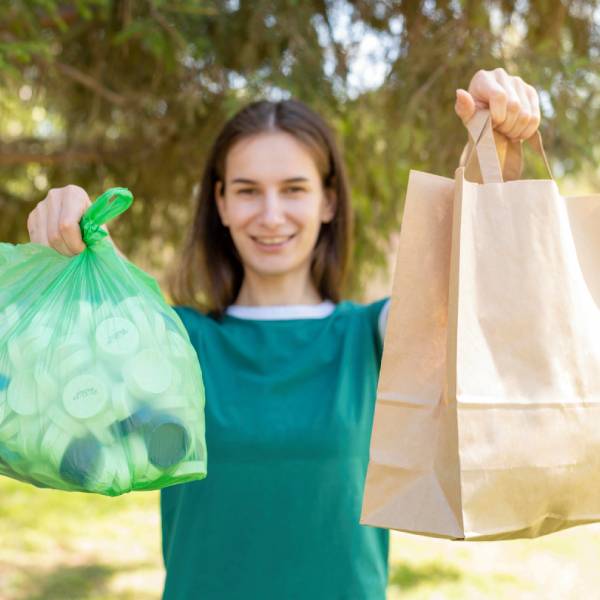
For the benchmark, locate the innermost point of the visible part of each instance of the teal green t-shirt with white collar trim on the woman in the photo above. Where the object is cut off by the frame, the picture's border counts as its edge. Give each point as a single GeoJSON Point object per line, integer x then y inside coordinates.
{"type": "Point", "coordinates": [289, 410]}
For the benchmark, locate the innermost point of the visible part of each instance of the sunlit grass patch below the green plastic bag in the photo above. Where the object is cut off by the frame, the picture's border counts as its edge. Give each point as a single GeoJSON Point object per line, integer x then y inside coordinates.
{"type": "Point", "coordinates": [62, 546]}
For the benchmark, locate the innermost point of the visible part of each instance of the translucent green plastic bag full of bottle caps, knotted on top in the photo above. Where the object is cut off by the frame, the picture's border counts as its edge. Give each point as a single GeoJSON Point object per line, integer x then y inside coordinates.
{"type": "Point", "coordinates": [100, 388]}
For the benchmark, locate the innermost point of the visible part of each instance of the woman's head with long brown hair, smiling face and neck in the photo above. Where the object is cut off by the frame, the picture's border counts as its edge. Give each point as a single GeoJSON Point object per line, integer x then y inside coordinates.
{"type": "Point", "coordinates": [264, 231]}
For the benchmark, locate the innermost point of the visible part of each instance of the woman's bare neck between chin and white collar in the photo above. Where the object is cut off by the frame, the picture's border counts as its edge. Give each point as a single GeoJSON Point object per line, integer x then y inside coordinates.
{"type": "Point", "coordinates": [260, 290]}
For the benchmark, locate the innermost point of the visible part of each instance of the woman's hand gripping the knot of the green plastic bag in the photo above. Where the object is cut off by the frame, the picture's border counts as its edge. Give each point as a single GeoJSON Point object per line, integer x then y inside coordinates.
{"type": "Point", "coordinates": [55, 220]}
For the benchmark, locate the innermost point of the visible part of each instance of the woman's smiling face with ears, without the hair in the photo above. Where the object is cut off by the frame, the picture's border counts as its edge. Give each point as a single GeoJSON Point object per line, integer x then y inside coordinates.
{"type": "Point", "coordinates": [274, 203]}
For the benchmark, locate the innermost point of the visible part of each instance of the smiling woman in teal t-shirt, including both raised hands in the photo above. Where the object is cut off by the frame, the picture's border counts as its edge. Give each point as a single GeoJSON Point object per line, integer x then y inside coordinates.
{"type": "Point", "coordinates": [290, 370]}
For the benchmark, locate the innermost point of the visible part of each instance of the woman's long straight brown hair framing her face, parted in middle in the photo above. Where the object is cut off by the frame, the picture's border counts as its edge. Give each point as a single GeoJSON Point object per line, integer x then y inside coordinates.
{"type": "Point", "coordinates": [210, 272]}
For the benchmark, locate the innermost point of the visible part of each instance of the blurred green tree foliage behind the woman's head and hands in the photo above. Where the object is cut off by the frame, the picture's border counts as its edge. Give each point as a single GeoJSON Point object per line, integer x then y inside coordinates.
{"type": "Point", "coordinates": [134, 93]}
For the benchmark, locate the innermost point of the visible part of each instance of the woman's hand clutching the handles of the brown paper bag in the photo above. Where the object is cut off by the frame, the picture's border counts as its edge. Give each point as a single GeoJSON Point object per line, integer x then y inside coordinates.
{"type": "Point", "coordinates": [513, 104]}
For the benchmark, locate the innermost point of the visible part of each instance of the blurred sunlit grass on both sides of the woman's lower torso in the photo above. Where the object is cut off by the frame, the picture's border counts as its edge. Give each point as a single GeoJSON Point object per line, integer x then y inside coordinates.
{"type": "Point", "coordinates": [67, 546]}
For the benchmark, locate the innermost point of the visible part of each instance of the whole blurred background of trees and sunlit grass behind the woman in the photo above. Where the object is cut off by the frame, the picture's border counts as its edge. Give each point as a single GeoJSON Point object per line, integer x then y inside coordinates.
{"type": "Point", "coordinates": [123, 92]}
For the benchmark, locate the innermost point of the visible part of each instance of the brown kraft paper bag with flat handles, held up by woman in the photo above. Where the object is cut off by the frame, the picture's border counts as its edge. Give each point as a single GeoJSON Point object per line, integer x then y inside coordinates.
{"type": "Point", "coordinates": [487, 421]}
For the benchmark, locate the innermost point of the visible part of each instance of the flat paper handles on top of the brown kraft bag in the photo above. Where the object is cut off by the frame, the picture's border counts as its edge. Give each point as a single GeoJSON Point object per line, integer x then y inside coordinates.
{"type": "Point", "coordinates": [483, 143]}
